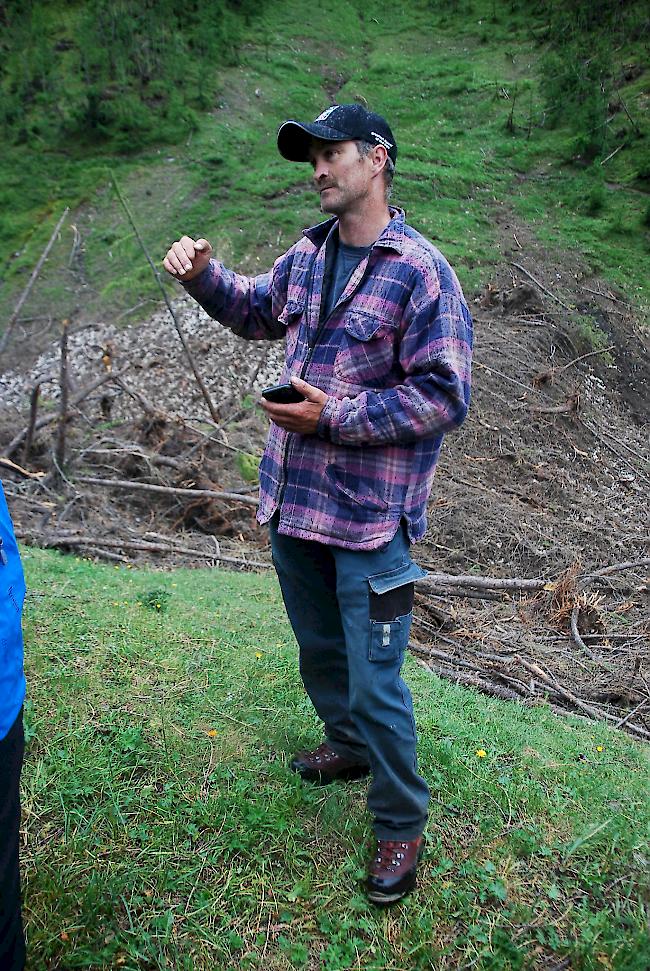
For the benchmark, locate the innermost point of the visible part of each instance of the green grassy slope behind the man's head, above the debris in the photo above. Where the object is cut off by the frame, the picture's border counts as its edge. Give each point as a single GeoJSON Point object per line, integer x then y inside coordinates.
{"type": "Point", "coordinates": [446, 82]}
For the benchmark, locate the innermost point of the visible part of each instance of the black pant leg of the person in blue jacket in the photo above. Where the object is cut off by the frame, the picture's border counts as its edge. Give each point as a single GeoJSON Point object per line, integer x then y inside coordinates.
{"type": "Point", "coordinates": [12, 942]}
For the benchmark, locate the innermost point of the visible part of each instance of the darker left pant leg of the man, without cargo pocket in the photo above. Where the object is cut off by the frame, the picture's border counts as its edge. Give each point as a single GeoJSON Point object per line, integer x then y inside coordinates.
{"type": "Point", "coordinates": [307, 575]}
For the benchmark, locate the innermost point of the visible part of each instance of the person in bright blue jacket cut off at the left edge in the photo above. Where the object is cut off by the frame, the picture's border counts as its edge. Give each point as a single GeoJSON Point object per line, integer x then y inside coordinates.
{"type": "Point", "coordinates": [12, 743]}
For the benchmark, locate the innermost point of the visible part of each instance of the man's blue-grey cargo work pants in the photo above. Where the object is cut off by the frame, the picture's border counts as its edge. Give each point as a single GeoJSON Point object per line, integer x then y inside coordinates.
{"type": "Point", "coordinates": [351, 613]}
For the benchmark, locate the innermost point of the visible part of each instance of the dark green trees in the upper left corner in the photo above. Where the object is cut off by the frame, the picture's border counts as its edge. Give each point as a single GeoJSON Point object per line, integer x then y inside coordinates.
{"type": "Point", "coordinates": [123, 73]}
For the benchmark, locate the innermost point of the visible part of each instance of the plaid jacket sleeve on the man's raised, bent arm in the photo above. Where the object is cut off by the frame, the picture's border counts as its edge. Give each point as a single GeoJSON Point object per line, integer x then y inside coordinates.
{"type": "Point", "coordinates": [249, 306]}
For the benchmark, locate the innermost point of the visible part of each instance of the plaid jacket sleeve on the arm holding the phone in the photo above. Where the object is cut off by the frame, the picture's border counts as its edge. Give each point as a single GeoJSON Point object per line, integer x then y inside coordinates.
{"type": "Point", "coordinates": [435, 356]}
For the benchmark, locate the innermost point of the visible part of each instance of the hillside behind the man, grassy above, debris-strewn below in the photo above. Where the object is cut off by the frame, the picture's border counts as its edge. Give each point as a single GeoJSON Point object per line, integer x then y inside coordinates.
{"type": "Point", "coordinates": [548, 475]}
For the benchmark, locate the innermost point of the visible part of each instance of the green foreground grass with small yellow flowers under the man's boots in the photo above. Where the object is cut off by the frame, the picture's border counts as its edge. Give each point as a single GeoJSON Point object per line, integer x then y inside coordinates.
{"type": "Point", "coordinates": [164, 830]}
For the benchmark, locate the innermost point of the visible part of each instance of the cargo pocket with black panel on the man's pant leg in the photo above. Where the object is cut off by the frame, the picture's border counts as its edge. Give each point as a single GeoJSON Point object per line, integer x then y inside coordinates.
{"type": "Point", "coordinates": [391, 608]}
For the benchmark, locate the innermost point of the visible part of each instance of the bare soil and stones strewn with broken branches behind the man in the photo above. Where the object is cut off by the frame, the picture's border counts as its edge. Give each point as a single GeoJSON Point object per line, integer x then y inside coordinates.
{"type": "Point", "coordinates": [548, 478]}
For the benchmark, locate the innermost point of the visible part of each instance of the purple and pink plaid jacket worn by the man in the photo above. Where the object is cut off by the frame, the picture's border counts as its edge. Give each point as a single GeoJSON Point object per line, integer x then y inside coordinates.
{"type": "Point", "coordinates": [394, 357]}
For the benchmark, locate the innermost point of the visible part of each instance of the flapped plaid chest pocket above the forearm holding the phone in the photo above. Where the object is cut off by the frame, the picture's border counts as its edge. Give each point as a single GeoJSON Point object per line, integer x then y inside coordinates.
{"type": "Point", "coordinates": [367, 351]}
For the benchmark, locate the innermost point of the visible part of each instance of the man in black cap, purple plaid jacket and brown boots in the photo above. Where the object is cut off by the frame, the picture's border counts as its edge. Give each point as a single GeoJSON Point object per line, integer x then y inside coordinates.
{"type": "Point", "coordinates": [378, 341]}
